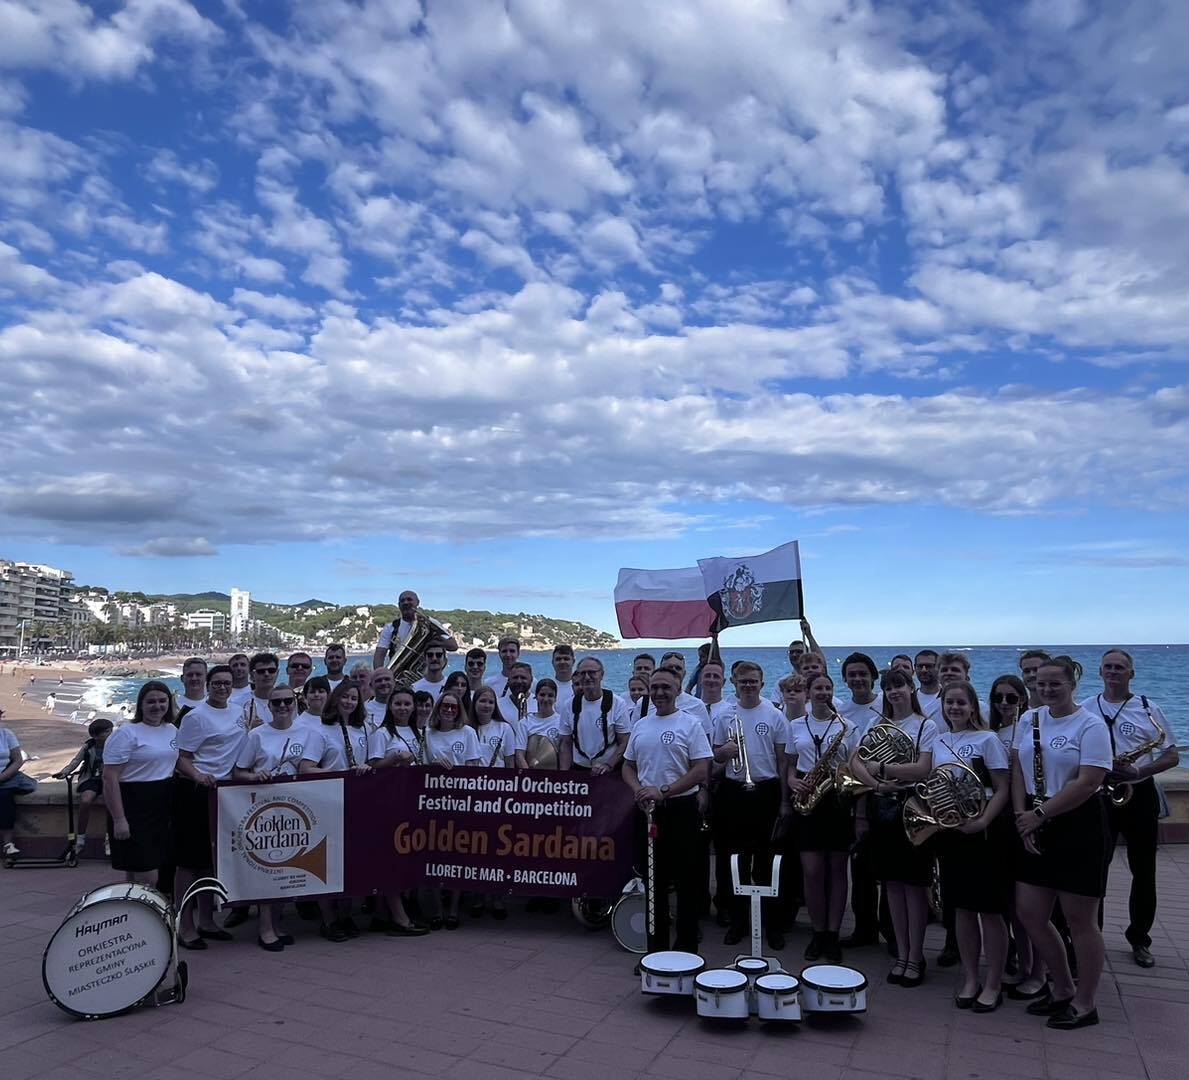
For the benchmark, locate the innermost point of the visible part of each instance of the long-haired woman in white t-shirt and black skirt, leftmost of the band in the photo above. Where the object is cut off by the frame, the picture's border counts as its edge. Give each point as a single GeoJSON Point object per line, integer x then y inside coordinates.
{"type": "Point", "coordinates": [139, 786]}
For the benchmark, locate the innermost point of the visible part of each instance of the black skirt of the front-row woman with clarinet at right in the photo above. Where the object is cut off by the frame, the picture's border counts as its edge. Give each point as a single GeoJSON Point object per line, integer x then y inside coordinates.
{"type": "Point", "coordinates": [1073, 852]}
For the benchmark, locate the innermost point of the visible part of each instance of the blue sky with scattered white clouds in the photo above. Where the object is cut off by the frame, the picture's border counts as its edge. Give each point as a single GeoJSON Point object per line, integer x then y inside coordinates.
{"type": "Point", "coordinates": [493, 299]}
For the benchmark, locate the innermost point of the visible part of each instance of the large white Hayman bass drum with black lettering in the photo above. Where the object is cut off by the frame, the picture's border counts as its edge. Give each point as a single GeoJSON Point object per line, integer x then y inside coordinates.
{"type": "Point", "coordinates": [112, 952]}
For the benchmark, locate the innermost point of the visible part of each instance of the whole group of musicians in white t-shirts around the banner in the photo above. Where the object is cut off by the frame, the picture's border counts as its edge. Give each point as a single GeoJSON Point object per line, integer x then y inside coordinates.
{"type": "Point", "coordinates": [898, 794]}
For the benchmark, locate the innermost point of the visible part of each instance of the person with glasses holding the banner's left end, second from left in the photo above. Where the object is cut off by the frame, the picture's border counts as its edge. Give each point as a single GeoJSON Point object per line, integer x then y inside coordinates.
{"type": "Point", "coordinates": [209, 742]}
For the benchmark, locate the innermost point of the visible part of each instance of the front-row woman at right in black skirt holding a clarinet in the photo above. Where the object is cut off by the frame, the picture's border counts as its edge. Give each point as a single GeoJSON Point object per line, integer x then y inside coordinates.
{"type": "Point", "coordinates": [1061, 757]}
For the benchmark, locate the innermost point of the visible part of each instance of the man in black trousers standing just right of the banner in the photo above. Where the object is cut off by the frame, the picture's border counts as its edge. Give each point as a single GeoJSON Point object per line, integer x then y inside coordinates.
{"type": "Point", "coordinates": [666, 762]}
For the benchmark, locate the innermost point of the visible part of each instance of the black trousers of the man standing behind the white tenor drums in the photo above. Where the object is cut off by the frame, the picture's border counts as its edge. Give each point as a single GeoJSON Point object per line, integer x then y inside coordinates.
{"type": "Point", "coordinates": [678, 866]}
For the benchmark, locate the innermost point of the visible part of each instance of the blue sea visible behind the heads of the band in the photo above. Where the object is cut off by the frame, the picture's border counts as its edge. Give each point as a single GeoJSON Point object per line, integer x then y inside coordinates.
{"type": "Point", "coordinates": [1162, 671]}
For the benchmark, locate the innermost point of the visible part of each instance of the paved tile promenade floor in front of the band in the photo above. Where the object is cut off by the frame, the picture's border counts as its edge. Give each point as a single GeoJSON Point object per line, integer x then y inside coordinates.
{"type": "Point", "coordinates": [538, 996]}
